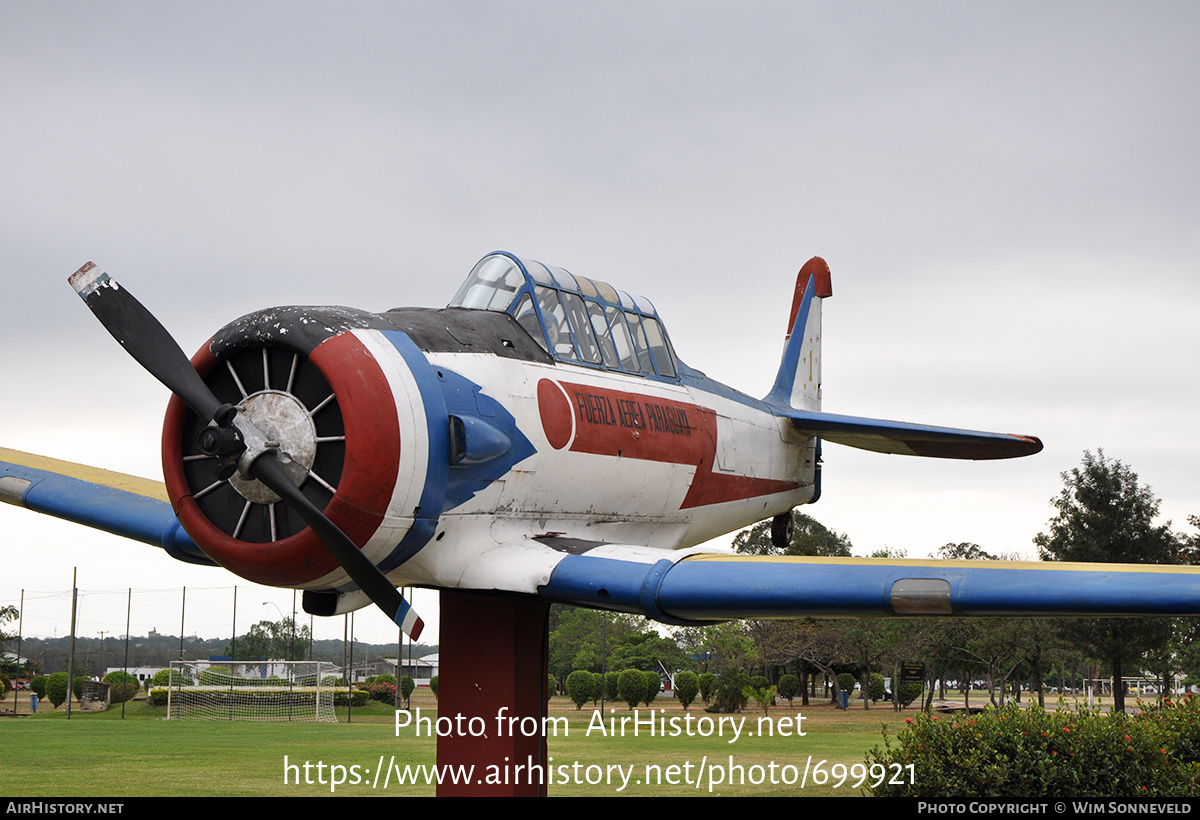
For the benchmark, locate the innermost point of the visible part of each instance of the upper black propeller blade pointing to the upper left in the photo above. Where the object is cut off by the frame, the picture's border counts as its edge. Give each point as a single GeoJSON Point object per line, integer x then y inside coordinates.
{"type": "Point", "coordinates": [143, 338]}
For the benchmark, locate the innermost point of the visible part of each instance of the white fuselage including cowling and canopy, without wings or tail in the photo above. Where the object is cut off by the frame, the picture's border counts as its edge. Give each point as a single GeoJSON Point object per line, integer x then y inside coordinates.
{"type": "Point", "coordinates": [541, 412]}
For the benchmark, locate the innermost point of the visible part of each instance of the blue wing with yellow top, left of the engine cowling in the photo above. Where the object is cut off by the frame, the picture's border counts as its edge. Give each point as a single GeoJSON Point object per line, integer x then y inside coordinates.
{"type": "Point", "coordinates": [115, 502]}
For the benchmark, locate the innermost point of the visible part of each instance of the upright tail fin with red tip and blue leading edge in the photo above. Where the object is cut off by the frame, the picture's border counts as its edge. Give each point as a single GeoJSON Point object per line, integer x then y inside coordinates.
{"type": "Point", "coordinates": [799, 382]}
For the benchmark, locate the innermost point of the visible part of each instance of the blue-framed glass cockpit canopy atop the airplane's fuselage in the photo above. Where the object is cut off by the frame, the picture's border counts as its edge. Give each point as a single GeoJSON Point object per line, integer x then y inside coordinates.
{"type": "Point", "coordinates": [575, 320]}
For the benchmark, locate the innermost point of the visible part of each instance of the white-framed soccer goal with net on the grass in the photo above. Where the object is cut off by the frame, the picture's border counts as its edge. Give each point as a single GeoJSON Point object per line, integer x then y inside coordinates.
{"type": "Point", "coordinates": [251, 691]}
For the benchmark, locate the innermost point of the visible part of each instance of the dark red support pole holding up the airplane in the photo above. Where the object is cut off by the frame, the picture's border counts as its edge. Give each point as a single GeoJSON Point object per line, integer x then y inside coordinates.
{"type": "Point", "coordinates": [494, 665]}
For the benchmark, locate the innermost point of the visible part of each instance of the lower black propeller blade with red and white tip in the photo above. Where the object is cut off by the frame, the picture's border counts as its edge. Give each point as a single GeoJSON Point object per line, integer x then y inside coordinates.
{"type": "Point", "coordinates": [364, 573]}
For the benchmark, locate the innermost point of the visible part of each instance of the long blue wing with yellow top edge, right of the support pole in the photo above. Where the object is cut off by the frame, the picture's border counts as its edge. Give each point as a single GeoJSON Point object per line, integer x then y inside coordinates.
{"type": "Point", "coordinates": [711, 588]}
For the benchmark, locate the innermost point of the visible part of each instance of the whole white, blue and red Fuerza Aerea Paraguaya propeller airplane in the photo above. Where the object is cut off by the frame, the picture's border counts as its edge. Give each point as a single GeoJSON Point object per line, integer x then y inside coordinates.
{"type": "Point", "coordinates": [538, 441]}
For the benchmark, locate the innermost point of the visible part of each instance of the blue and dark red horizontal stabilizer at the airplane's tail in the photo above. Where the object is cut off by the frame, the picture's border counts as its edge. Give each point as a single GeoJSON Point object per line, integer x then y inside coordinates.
{"type": "Point", "coordinates": [905, 439]}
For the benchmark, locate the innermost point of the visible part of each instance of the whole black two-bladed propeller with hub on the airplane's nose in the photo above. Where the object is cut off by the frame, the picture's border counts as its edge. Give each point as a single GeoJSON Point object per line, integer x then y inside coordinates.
{"type": "Point", "coordinates": [235, 439]}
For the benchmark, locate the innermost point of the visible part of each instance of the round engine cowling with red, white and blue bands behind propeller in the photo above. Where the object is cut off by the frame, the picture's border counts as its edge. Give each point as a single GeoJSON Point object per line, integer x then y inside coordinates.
{"type": "Point", "coordinates": [345, 397]}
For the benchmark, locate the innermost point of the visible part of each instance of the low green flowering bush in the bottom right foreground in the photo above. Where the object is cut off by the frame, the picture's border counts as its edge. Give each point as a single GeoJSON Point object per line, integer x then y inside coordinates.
{"type": "Point", "coordinates": [1034, 753]}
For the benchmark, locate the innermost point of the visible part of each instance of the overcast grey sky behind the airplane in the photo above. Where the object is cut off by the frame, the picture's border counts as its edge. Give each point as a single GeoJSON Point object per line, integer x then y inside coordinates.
{"type": "Point", "coordinates": [1007, 196]}
